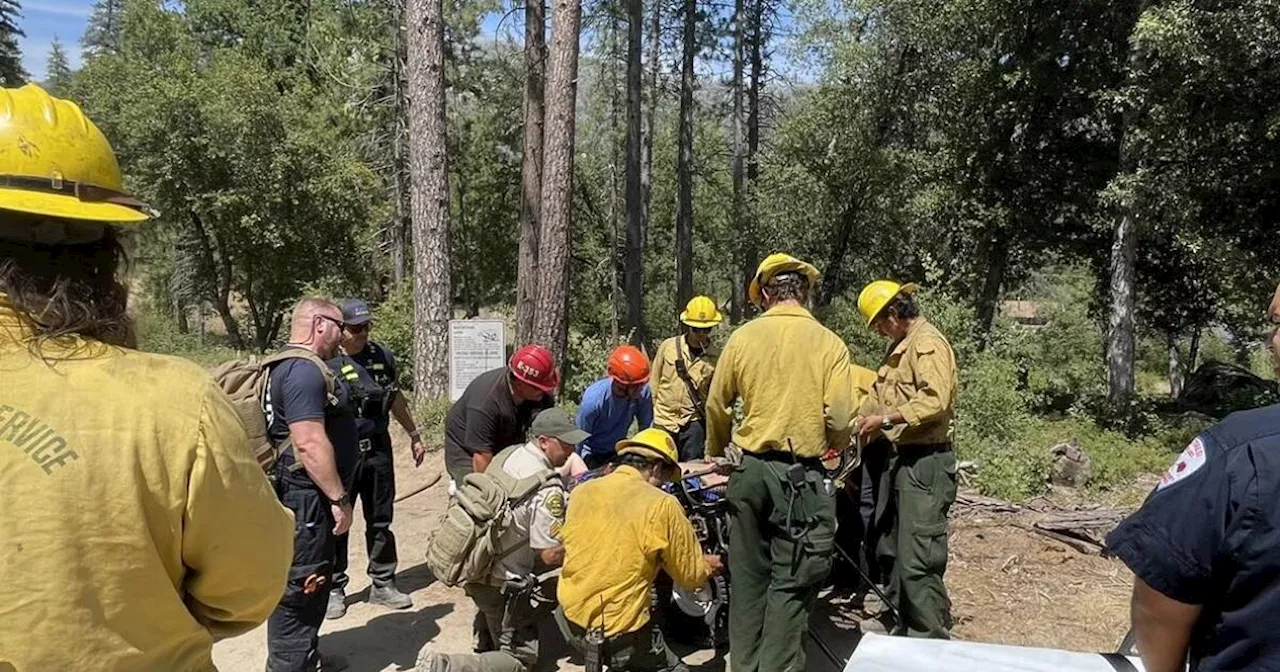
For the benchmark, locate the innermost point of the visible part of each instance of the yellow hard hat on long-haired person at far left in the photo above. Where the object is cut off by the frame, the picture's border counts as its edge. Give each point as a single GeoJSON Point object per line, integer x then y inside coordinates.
{"type": "Point", "coordinates": [56, 163]}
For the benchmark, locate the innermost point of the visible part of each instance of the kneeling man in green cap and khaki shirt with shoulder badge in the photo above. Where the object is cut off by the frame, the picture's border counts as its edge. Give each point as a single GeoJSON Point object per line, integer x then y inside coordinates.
{"type": "Point", "coordinates": [529, 543]}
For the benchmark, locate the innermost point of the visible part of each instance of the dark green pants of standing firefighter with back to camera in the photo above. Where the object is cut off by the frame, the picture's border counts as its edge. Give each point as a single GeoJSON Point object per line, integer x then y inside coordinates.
{"type": "Point", "coordinates": [781, 540]}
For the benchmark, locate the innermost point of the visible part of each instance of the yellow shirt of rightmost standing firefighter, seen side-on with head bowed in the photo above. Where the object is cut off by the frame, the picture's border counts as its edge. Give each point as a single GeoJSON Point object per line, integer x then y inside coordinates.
{"type": "Point", "coordinates": [918, 378]}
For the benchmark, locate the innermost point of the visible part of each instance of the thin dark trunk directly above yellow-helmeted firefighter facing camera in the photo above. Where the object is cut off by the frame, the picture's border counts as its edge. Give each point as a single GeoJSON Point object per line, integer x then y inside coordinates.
{"type": "Point", "coordinates": [685, 162]}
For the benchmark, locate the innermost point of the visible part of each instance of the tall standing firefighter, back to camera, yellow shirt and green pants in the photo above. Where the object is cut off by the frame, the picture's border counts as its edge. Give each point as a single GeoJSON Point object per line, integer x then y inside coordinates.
{"type": "Point", "coordinates": [794, 380]}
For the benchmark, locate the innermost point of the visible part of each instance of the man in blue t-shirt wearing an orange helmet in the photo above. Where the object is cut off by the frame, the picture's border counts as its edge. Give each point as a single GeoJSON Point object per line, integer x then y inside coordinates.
{"type": "Point", "coordinates": [611, 404]}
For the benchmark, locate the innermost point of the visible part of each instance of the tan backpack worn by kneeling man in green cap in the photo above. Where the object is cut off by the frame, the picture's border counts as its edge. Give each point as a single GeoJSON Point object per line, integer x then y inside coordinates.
{"type": "Point", "coordinates": [464, 547]}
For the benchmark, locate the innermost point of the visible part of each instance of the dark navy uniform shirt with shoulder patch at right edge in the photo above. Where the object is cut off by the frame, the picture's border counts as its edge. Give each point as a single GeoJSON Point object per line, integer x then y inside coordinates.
{"type": "Point", "coordinates": [1210, 536]}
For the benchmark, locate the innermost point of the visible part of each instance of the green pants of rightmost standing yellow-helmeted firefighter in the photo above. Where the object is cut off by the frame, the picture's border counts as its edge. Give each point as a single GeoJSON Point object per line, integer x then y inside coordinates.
{"type": "Point", "coordinates": [917, 495]}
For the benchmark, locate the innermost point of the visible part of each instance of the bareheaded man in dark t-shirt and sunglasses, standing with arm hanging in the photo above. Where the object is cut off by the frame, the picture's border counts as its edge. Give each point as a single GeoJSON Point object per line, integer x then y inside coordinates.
{"type": "Point", "coordinates": [319, 437]}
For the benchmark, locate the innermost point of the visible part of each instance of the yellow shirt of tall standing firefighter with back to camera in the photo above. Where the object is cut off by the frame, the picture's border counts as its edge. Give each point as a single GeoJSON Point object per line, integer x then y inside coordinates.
{"type": "Point", "coordinates": [796, 382]}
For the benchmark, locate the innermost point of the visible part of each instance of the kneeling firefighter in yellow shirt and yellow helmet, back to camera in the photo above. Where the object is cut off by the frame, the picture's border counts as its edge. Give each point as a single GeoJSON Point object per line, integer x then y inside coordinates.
{"type": "Point", "coordinates": [606, 587]}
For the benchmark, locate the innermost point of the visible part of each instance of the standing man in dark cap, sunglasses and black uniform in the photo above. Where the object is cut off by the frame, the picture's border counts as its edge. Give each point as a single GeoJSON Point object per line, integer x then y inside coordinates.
{"type": "Point", "coordinates": [371, 371]}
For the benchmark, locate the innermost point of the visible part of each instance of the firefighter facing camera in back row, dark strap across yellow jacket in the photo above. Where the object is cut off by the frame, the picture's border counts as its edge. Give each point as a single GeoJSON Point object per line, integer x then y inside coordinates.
{"type": "Point", "coordinates": [683, 369]}
